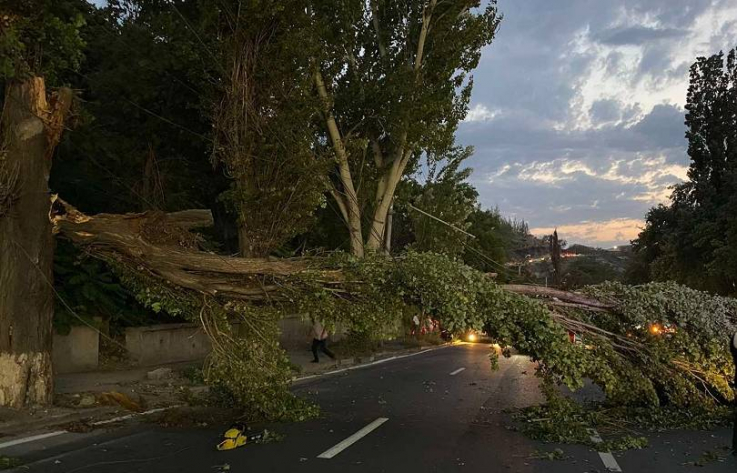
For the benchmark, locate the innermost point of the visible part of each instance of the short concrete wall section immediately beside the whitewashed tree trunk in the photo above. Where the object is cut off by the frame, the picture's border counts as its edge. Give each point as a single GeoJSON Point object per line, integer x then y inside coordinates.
{"type": "Point", "coordinates": [76, 352]}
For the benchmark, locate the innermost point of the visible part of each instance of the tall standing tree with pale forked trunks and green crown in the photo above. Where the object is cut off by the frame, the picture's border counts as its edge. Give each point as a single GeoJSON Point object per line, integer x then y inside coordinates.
{"type": "Point", "coordinates": [392, 77]}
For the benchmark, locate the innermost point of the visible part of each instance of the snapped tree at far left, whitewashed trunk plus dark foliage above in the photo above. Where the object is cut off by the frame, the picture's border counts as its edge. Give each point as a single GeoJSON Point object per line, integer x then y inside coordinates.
{"type": "Point", "coordinates": [30, 127]}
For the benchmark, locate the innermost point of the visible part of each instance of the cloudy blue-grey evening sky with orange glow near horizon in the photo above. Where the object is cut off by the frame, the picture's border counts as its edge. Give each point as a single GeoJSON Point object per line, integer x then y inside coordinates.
{"type": "Point", "coordinates": [577, 111]}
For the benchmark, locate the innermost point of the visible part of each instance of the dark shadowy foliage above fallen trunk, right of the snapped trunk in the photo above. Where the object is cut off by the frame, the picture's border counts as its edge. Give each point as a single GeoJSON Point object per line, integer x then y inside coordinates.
{"type": "Point", "coordinates": [142, 139]}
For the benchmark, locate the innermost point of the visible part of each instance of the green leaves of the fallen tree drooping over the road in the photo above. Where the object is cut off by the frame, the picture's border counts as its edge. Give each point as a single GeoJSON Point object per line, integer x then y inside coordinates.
{"type": "Point", "coordinates": [686, 367]}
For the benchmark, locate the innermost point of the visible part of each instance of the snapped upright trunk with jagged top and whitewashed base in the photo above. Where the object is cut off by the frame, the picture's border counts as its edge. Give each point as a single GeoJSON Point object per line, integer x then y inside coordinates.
{"type": "Point", "coordinates": [30, 129]}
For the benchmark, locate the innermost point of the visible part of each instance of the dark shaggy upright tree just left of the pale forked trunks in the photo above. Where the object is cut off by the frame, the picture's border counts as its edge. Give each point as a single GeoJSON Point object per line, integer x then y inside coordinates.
{"type": "Point", "coordinates": [264, 126]}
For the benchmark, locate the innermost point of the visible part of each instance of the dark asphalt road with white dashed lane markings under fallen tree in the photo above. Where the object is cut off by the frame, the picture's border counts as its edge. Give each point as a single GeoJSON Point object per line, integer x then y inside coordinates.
{"type": "Point", "coordinates": [441, 411]}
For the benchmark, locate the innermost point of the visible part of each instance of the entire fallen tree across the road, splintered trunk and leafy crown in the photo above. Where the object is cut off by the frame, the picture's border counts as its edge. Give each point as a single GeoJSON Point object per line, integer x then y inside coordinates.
{"type": "Point", "coordinates": [651, 345]}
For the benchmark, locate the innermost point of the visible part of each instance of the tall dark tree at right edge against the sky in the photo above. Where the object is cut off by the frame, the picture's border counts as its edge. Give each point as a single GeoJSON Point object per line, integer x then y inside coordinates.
{"type": "Point", "coordinates": [694, 239]}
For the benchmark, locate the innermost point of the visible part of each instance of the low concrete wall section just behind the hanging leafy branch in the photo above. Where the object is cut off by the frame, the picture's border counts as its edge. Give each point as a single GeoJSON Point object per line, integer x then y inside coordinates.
{"type": "Point", "coordinates": [167, 343]}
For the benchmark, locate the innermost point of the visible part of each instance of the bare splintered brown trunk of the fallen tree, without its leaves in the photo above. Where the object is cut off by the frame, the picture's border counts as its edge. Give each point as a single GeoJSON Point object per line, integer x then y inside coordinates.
{"type": "Point", "coordinates": [129, 239]}
